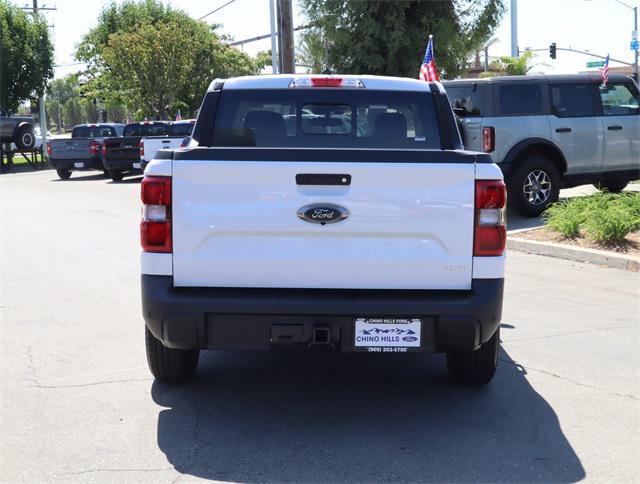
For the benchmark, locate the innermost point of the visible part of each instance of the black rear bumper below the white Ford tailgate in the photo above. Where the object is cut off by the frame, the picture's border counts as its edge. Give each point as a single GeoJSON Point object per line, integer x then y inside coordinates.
{"type": "Point", "coordinates": [244, 318]}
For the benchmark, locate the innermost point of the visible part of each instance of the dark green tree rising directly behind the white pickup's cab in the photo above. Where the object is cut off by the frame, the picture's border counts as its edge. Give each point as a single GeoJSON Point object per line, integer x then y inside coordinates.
{"type": "Point", "coordinates": [389, 38]}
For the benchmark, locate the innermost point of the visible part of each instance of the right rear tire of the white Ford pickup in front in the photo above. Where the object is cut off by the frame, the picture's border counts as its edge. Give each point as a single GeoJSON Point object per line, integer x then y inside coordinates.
{"type": "Point", "coordinates": [475, 367]}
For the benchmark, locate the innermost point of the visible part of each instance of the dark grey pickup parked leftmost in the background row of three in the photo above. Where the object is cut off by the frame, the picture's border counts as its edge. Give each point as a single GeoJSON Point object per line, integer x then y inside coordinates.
{"type": "Point", "coordinates": [82, 150]}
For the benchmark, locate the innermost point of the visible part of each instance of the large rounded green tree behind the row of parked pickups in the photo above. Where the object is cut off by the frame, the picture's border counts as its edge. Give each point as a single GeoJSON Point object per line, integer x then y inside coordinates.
{"type": "Point", "coordinates": [154, 59]}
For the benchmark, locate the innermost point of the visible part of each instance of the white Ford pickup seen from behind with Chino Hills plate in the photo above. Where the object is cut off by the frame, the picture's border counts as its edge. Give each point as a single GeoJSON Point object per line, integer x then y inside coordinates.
{"type": "Point", "coordinates": [338, 212]}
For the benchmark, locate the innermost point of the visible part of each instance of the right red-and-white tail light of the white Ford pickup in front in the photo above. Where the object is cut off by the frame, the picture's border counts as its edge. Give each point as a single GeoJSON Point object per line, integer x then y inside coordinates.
{"type": "Point", "coordinates": [490, 235]}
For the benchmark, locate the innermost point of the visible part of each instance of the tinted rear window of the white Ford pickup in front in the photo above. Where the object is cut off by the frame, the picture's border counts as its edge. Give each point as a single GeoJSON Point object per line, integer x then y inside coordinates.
{"type": "Point", "coordinates": [335, 118]}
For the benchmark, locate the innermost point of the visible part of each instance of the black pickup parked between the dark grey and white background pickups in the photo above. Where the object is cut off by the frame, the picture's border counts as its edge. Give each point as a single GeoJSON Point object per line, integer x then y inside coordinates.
{"type": "Point", "coordinates": [122, 155]}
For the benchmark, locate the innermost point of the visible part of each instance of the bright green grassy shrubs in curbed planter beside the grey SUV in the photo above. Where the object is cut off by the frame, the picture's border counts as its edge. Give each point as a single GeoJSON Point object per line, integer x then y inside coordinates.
{"type": "Point", "coordinates": [606, 217]}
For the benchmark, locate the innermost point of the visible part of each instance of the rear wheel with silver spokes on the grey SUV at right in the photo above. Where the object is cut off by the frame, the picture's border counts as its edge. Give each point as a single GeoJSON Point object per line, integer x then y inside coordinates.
{"type": "Point", "coordinates": [533, 185]}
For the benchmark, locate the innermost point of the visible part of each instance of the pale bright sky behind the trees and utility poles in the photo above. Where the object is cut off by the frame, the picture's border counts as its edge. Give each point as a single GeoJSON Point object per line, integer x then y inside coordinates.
{"type": "Point", "coordinates": [599, 26]}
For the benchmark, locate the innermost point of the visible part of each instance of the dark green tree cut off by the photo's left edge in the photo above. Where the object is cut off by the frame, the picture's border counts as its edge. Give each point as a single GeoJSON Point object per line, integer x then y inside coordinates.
{"type": "Point", "coordinates": [26, 56]}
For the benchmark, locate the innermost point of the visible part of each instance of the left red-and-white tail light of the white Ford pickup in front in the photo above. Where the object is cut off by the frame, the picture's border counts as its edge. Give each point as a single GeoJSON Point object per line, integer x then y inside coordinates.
{"type": "Point", "coordinates": [155, 228]}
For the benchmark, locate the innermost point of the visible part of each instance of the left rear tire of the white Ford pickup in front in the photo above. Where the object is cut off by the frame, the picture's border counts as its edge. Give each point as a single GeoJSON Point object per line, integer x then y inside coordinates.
{"type": "Point", "coordinates": [167, 364]}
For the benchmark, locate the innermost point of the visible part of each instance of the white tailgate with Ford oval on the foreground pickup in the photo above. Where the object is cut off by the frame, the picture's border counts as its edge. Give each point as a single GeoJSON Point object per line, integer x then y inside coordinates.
{"type": "Point", "coordinates": [236, 224]}
